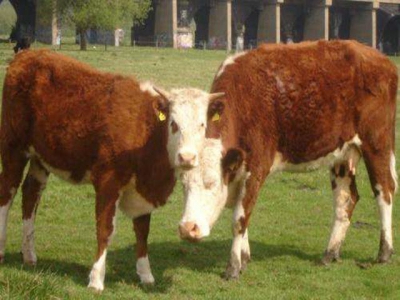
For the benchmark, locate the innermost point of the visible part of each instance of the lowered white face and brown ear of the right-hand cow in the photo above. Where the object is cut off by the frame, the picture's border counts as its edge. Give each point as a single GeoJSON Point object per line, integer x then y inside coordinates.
{"type": "Point", "coordinates": [207, 189]}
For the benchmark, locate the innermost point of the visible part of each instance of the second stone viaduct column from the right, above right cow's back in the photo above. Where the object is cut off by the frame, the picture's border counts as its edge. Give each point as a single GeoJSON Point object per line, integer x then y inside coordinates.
{"type": "Point", "coordinates": [316, 25]}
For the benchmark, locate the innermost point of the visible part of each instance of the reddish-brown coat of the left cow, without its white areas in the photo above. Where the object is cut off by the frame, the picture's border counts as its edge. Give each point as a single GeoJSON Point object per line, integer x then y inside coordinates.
{"type": "Point", "coordinates": [78, 119]}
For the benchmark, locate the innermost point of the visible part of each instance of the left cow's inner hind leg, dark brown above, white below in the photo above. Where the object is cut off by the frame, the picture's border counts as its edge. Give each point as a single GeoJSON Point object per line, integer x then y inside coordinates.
{"type": "Point", "coordinates": [34, 183]}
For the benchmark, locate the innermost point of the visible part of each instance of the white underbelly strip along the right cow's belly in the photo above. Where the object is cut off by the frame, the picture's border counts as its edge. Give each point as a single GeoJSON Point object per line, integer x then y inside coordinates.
{"type": "Point", "coordinates": [338, 155]}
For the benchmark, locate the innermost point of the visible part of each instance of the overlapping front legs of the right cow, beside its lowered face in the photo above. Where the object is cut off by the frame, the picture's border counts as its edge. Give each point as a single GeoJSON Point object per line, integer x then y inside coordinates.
{"type": "Point", "coordinates": [240, 245]}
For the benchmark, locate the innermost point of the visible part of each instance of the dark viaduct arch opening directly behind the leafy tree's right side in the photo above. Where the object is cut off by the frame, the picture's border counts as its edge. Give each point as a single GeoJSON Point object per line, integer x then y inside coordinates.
{"type": "Point", "coordinates": [144, 34]}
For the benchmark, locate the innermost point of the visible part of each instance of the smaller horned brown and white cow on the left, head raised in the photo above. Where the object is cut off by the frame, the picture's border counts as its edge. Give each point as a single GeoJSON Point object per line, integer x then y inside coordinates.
{"type": "Point", "coordinates": [84, 126]}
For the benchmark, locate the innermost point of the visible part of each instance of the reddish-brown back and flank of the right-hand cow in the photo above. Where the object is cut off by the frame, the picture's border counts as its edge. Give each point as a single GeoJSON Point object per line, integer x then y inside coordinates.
{"type": "Point", "coordinates": [288, 97]}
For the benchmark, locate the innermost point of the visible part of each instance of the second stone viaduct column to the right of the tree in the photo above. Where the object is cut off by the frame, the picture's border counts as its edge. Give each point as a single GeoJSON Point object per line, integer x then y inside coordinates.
{"type": "Point", "coordinates": [220, 25]}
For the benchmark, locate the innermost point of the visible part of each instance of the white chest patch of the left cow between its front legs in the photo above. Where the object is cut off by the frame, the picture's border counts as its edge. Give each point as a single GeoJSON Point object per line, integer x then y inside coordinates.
{"type": "Point", "coordinates": [132, 203]}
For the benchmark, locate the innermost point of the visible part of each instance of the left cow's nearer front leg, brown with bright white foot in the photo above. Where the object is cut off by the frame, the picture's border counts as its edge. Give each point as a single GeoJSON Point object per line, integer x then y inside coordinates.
{"type": "Point", "coordinates": [107, 195]}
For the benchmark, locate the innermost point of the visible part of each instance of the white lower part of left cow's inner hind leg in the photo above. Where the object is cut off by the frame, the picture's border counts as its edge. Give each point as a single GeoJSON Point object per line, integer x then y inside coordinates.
{"type": "Point", "coordinates": [28, 241]}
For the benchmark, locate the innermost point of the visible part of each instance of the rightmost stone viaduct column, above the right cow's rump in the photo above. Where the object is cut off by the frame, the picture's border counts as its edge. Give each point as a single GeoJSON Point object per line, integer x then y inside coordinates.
{"type": "Point", "coordinates": [363, 23]}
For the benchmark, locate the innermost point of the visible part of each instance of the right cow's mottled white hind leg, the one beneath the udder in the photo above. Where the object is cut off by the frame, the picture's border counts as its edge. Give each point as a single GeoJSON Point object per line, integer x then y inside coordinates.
{"type": "Point", "coordinates": [345, 198]}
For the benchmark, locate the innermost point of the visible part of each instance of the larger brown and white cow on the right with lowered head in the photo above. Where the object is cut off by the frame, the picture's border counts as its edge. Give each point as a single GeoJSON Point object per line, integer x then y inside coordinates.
{"type": "Point", "coordinates": [298, 107]}
